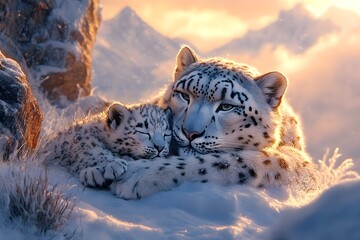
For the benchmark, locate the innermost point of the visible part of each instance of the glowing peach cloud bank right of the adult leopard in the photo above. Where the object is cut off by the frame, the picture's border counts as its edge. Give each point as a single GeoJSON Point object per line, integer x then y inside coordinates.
{"type": "Point", "coordinates": [326, 92]}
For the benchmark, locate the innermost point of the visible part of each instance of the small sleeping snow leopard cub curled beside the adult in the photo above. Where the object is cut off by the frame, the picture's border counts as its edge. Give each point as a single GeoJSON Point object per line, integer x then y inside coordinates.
{"type": "Point", "coordinates": [96, 148]}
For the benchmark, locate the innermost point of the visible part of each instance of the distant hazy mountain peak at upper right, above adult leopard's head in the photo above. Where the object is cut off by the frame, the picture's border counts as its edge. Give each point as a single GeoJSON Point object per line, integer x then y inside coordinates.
{"type": "Point", "coordinates": [296, 29]}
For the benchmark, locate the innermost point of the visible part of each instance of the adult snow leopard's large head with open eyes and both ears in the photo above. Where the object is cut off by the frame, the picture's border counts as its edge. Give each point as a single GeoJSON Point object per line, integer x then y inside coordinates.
{"type": "Point", "coordinates": [221, 105]}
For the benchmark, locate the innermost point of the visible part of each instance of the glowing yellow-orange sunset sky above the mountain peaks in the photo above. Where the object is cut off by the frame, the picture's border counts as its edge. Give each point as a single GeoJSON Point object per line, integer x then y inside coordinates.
{"type": "Point", "coordinates": [198, 21]}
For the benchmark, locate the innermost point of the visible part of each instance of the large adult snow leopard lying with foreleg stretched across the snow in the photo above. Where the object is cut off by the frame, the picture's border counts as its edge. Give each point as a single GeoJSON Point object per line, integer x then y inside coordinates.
{"type": "Point", "coordinates": [231, 125]}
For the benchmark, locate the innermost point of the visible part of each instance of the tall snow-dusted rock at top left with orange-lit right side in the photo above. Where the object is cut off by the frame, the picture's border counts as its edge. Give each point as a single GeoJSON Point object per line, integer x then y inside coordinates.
{"type": "Point", "coordinates": [55, 38]}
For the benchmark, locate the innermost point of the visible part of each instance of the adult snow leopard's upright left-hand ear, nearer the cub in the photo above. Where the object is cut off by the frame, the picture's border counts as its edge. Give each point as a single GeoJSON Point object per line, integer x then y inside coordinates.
{"type": "Point", "coordinates": [185, 58]}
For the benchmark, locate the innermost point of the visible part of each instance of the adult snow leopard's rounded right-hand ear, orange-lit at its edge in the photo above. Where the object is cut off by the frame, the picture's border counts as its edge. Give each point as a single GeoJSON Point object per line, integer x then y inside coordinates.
{"type": "Point", "coordinates": [273, 85]}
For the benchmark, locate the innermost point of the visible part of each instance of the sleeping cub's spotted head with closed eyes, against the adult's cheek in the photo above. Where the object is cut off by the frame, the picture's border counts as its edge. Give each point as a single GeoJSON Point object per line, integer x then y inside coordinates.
{"type": "Point", "coordinates": [139, 132]}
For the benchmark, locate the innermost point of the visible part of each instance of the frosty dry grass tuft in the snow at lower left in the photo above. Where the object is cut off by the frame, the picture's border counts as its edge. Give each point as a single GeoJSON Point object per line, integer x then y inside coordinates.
{"type": "Point", "coordinates": [28, 200]}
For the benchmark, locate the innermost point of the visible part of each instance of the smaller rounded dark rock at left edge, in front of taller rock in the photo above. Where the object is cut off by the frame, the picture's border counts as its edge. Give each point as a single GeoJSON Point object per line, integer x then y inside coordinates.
{"type": "Point", "coordinates": [20, 115]}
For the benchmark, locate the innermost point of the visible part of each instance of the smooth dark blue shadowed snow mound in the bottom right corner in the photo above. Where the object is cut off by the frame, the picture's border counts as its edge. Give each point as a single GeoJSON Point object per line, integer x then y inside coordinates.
{"type": "Point", "coordinates": [335, 215]}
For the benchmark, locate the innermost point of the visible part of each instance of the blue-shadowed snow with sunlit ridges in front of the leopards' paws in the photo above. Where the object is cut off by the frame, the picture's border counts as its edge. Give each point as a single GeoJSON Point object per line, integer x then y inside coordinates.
{"type": "Point", "coordinates": [191, 211]}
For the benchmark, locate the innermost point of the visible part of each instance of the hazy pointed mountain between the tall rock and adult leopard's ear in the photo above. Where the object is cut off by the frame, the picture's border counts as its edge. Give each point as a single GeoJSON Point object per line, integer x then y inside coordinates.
{"type": "Point", "coordinates": [128, 55]}
